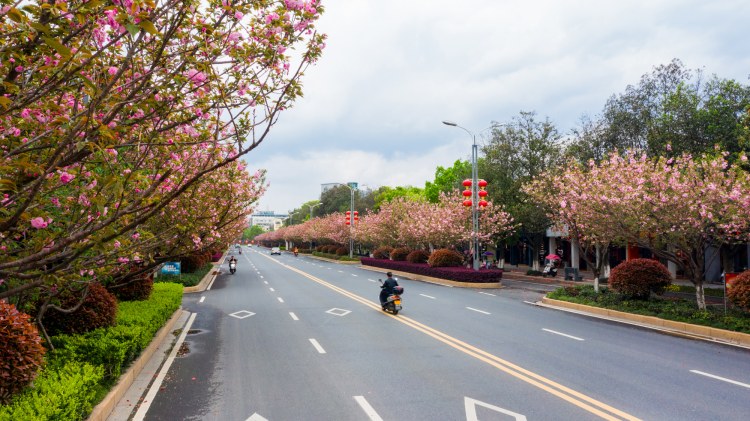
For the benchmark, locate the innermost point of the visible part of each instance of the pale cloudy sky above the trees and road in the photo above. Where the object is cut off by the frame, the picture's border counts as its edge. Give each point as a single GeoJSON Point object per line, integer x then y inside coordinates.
{"type": "Point", "coordinates": [393, 70]}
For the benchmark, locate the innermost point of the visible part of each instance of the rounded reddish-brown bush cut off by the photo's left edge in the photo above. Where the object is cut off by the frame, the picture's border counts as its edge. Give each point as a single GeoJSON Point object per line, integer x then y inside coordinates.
{"type": "Point", "coordinates": [21, 351]}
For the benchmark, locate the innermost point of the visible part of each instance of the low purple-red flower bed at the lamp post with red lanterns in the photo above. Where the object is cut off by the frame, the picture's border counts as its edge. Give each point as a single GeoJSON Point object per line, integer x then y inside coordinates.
{"type": "Point", "coordinates": [458, 274]}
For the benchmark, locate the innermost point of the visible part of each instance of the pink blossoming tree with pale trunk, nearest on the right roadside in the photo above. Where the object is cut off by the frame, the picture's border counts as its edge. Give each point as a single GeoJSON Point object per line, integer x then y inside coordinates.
{"type": "Point", "coordinates": [676, 207]}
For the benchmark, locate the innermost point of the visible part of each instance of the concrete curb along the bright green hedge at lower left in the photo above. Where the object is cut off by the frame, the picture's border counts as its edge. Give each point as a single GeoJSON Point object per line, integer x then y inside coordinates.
{"type": "Point", "coordinates": [107, 405]}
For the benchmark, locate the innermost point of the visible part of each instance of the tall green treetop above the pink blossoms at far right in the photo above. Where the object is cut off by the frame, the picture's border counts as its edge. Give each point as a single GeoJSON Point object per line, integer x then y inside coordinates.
{"type": "Point", "coordinates": [675, 106]}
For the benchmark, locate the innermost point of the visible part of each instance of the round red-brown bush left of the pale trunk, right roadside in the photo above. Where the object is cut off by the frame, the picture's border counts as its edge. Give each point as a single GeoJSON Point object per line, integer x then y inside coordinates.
{"type": "Point", "coordinates": [638, 278]}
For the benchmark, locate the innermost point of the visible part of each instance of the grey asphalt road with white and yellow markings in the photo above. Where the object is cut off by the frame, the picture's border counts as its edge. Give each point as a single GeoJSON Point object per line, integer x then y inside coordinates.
{"type": "Point", "coordinates": [290, 338]}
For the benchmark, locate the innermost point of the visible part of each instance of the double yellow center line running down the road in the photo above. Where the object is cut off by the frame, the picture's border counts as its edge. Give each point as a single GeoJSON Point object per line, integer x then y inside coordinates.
{"type": "Point", "coordinates": [569, 395]}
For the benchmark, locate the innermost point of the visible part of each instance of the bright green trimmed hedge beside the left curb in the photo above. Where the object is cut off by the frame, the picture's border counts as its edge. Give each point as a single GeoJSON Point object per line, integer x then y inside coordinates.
{"type": "Point", "coordinates": [83, 368]}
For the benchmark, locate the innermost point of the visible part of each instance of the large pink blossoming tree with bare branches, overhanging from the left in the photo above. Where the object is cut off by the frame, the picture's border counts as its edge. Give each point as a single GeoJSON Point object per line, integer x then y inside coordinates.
{"type": "Point", "coordinates": [113, 112]}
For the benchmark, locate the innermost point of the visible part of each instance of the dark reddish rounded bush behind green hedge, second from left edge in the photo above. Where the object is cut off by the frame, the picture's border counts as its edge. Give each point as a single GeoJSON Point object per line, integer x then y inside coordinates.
{"type": "Point", "coordinates": [99, 309]}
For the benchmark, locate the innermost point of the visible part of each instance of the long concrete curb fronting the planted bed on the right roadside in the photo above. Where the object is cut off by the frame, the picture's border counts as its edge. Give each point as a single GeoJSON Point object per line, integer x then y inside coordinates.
{"type": "Point", "coordinates": [669, 326]}
